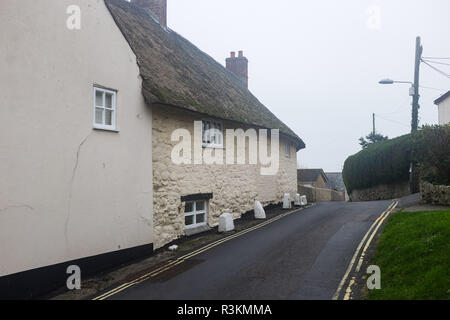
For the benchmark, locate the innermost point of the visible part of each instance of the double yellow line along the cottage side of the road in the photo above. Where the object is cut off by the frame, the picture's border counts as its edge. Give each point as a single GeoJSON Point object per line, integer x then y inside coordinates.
{"type": "Point", "coordinates": [181, 259]}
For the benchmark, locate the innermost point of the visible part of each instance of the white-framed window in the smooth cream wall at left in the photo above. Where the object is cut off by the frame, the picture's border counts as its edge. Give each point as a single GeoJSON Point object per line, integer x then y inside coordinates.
{"type": "Point", "coordinates": [104, 109]}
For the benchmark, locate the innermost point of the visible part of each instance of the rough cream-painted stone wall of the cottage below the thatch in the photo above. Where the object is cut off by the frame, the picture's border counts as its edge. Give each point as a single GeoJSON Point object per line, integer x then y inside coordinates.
{"type": "Point", "coordinates": [234, 187]}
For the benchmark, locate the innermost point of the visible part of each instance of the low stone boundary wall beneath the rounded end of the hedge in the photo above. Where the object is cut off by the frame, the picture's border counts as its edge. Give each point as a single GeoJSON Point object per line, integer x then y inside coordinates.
{"type": "Point", "coordinates": [381, 192]}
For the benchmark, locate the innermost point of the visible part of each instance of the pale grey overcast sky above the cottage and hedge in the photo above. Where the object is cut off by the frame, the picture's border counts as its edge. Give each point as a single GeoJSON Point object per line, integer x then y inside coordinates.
{"type": "Point", "coordinates": [316, 64]}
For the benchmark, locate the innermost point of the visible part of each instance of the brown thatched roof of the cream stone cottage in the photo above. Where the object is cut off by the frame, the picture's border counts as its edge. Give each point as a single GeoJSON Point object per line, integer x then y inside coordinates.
{"type": "Point", "coordinates": [177, 73]}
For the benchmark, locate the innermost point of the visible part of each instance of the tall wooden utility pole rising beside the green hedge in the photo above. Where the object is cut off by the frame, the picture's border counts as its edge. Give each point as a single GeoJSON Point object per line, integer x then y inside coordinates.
{"type": "Point", "coordinates": [415, 109]}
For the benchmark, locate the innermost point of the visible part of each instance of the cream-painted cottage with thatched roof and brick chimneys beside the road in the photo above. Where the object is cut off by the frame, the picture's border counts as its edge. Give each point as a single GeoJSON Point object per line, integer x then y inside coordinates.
{"type": "Point", "coordinates": [91, 93]}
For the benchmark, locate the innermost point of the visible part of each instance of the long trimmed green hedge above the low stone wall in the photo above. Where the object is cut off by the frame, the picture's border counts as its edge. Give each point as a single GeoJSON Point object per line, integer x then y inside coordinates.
{"type": "Point", "coordinates": [389, 161]}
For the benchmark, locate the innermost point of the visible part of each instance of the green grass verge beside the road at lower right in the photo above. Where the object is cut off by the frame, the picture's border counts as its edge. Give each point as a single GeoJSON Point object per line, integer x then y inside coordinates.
{"type": "Point", "coordinates": [414, 257]}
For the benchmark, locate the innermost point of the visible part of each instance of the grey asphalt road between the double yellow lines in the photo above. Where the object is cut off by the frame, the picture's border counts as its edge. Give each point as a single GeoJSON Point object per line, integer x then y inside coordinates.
{"type": "Point", "coordinates": [301, 256]}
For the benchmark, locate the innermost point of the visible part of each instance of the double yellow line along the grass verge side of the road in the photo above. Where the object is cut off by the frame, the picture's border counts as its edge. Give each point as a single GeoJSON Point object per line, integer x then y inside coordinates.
{"type": "Point", "coordinates": [375, 226]}
